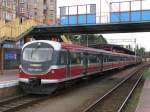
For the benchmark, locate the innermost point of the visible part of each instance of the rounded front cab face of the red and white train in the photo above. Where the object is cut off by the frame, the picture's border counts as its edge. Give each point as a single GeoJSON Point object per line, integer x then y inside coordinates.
{"type": "Point", "coordinates": [37, 61]}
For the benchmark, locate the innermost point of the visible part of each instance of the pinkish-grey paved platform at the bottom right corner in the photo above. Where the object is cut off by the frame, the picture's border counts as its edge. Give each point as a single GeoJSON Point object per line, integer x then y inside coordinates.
{"type": "Point", "coordinates": [144, 104]}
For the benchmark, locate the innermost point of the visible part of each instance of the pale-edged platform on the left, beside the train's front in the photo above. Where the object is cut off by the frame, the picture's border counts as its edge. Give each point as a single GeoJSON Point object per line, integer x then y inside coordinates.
{"type": "Point", "coordinates": [8, 78]}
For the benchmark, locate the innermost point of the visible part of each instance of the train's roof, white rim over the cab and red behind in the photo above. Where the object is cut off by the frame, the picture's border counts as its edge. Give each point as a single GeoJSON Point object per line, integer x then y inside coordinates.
{"type": "Point", "coordinates": [58, 46]}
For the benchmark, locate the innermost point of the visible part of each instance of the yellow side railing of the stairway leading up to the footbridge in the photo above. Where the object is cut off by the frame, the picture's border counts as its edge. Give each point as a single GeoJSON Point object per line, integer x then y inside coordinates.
{"type": "Point", "coordinates": [15, 28]}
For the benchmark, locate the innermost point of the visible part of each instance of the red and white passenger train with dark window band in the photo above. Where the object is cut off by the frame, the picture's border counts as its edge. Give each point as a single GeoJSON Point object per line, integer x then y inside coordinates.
{"type": "Point", "coordinates": [47, 64]}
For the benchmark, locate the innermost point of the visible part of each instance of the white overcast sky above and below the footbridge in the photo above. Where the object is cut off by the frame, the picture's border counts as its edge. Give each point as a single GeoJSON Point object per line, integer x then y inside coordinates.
{"type": "Point", "coordinates": [142, 39]}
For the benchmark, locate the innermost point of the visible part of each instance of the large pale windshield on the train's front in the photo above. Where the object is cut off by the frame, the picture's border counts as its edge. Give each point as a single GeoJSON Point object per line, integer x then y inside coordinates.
{"type": "Point", "coordinates": [37, 54]}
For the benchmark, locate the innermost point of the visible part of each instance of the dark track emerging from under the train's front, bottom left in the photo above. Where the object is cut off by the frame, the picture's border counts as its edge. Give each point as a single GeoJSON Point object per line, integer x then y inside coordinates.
{"type": "Point", "coordinates": [18, 102]}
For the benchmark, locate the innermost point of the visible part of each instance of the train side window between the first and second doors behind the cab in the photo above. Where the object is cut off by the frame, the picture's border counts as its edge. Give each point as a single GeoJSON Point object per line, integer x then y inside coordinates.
{"type": "Point", "coordinates": [75, 58]}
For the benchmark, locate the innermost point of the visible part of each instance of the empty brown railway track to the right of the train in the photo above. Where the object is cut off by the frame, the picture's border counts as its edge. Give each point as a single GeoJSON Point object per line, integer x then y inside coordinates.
{"type": "Point", "coordinates": [116, 98]}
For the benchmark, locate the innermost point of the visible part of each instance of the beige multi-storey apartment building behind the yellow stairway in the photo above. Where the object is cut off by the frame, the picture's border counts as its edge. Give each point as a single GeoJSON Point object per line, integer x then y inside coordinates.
{"type": "Point", "coordinates": [41, 10]}
